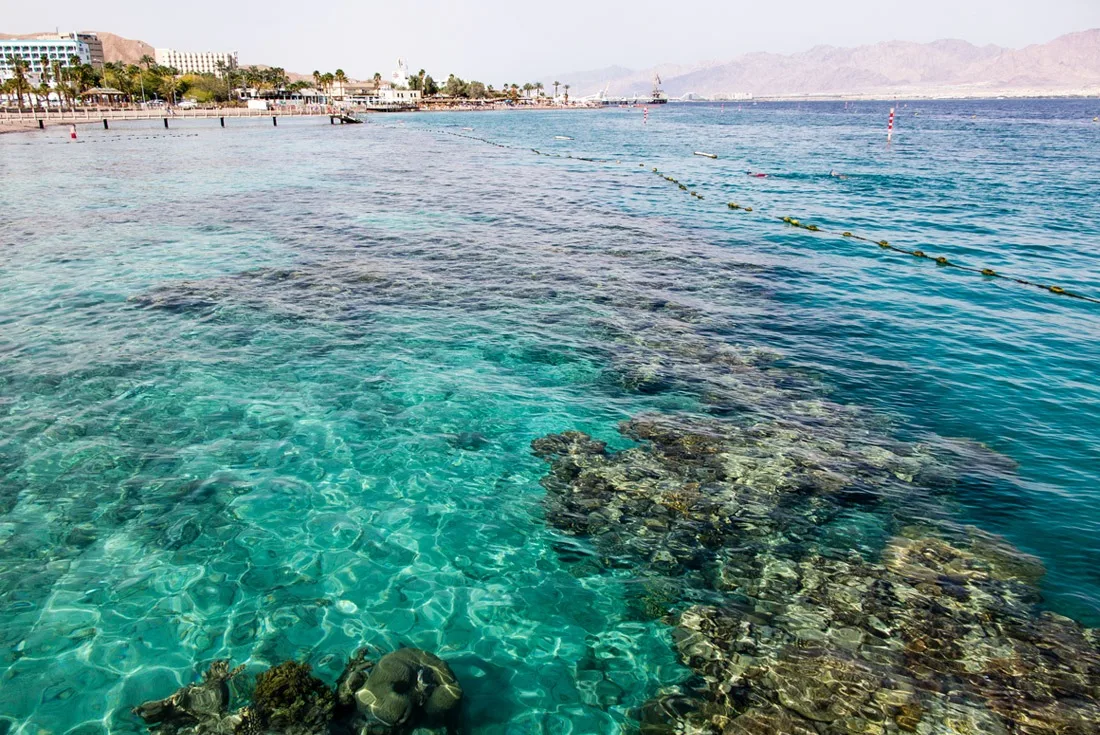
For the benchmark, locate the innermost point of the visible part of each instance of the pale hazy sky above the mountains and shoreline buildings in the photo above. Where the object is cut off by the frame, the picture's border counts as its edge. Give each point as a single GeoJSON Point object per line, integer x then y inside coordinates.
{"type": "Point", "coordinates": [500, 41]}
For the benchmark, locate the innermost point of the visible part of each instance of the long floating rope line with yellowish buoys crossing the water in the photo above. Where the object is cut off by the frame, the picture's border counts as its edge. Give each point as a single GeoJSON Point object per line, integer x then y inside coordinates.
{"type": "Point", "coordinates": [884, 245]}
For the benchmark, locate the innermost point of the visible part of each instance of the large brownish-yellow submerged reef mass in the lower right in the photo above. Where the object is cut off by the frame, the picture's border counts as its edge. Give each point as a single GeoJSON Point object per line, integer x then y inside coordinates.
{"type": "Point", "coordinates": [793, 628]}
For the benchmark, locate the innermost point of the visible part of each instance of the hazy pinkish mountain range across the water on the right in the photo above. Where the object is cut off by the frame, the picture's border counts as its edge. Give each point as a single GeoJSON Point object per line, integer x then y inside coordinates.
{"type": "Point", "coordinates": [1069, 65]}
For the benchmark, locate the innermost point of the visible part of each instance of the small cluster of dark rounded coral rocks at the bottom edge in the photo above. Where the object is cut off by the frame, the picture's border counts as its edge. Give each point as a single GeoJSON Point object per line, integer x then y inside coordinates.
{"type": "Point", "coordinates": [406, 690]}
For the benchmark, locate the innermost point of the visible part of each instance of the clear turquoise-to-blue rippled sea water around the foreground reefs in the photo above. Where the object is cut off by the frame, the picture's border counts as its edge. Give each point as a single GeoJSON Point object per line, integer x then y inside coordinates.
{"type": "Point", "coordinates": [269, 393]}
